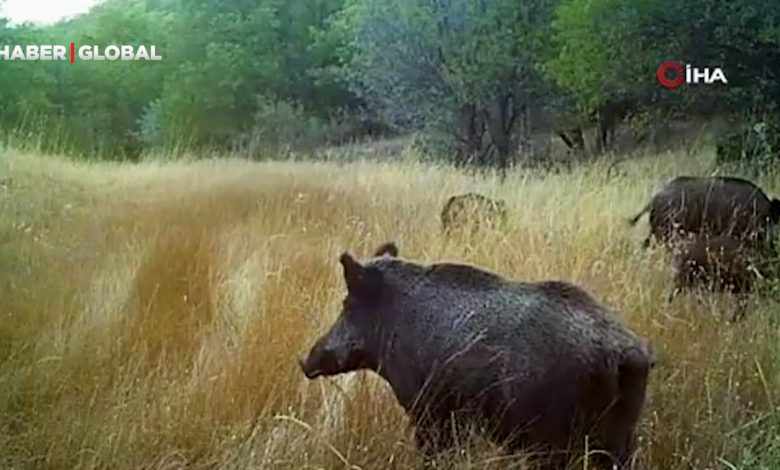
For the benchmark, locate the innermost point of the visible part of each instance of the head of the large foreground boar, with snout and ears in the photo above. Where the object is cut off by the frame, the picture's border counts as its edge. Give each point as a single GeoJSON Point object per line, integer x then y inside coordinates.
{"type": "Point", "coordinates": [351, 343]}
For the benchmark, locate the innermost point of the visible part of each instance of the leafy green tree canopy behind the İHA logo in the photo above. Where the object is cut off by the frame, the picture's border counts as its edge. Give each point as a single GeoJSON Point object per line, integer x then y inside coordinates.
{"type": "Point", "coordinates": [609, 48]}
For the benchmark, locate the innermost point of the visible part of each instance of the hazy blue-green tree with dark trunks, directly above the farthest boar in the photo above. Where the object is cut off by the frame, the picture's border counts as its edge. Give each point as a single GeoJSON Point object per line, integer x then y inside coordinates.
{"type": "Point", "coordinates": [463, 71]}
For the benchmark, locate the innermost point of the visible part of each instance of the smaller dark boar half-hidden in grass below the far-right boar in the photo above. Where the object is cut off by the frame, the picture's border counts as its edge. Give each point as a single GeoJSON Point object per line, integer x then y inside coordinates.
{"type": "Point", "coordinates": [721, 264]}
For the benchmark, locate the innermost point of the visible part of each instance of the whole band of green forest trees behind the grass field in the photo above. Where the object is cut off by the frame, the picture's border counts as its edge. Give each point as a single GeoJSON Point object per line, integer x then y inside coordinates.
{"type": "Point", "coordinates": [472, 81]}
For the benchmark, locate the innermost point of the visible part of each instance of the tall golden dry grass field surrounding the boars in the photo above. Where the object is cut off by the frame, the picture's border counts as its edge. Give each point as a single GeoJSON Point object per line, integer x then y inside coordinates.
{"type": "Point", "coordinates": [153, 315]}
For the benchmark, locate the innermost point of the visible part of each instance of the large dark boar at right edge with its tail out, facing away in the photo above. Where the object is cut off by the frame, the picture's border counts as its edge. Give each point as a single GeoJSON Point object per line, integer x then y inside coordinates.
{"type": "Point", "coordinates": [690, 205]}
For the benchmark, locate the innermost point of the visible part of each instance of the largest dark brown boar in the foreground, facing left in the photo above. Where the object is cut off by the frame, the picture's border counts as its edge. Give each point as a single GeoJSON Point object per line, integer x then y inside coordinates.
{"type": "Point", "coordinates": [537, 363]}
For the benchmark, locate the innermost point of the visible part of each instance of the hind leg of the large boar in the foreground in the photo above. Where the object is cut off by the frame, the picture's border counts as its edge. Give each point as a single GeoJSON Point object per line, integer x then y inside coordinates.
{"type": "Point", "coordinates": [621, 419]}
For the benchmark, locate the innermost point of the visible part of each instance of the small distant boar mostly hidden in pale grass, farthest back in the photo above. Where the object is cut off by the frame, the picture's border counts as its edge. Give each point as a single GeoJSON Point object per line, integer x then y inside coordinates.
{"type": "Point", "coordinates": [471, 212]}
